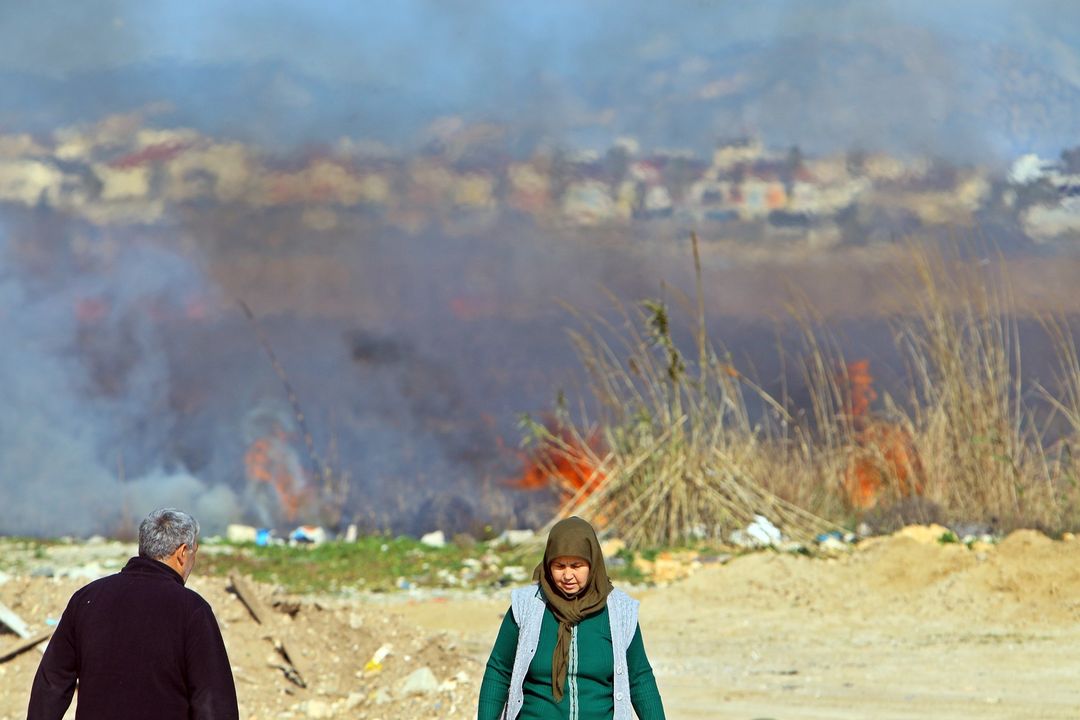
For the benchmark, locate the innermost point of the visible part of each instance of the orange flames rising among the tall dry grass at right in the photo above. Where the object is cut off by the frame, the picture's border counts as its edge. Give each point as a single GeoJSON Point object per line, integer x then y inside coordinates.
{"type": "Point", "coordinates": [885, 453]}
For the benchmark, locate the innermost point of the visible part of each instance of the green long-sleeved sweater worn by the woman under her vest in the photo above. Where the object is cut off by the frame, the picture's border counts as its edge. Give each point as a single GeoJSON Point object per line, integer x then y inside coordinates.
{"type": "Point", "coordinates": [596, 669]}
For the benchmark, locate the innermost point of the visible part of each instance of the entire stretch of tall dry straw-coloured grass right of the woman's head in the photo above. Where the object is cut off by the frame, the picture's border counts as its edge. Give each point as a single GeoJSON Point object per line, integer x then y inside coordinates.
{"type": "Point", "coordinates": [683, 456]}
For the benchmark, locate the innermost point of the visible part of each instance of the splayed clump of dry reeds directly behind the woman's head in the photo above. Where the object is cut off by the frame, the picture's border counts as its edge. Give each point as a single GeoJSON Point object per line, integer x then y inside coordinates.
{"type": "Point", "coordinates": [682, 459]}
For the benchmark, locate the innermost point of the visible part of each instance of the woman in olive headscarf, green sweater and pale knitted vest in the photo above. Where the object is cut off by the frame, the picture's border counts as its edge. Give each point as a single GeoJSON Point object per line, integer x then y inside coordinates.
{"type": "Point", "coordinates": [570, 648]}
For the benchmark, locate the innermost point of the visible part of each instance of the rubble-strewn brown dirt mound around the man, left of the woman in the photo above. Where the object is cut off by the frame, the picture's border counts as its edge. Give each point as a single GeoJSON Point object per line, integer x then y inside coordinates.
{"type": "Point", "coordinates": [331, 643]}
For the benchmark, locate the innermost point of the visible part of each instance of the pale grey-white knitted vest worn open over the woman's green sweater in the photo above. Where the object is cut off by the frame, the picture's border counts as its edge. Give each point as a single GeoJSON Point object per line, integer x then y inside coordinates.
{"type": "Point", "coordinates": [529, 606]}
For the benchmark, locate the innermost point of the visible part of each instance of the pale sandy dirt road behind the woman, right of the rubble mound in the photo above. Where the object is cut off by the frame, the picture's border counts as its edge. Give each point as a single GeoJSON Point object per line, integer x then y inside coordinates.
{"type": "Point", "coordinates": [901, 630]}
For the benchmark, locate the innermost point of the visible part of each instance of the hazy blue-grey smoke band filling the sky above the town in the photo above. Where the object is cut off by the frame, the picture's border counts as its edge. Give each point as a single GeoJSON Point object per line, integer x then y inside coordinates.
{"type": "Point", "coordinates": [957, 80]}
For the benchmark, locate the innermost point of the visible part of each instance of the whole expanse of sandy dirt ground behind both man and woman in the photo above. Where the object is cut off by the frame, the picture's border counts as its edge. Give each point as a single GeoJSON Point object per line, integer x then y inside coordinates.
{"type": "Point", "coordinates": [900, 628]}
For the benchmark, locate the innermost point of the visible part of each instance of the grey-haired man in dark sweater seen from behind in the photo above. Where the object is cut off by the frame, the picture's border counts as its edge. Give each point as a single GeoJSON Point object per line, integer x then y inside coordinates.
{"type": "Point", "coordinates": [140, 644]}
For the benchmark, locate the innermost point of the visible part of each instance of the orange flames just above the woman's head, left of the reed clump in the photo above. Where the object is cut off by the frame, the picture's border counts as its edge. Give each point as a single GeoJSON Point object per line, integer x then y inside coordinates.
{"type": "Point", "coordinates": [563, 461]}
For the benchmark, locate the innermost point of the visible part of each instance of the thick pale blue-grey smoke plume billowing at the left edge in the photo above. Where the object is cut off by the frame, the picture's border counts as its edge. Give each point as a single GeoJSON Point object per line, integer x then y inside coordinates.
{"type": "Point", "coordinates": [83, 428]}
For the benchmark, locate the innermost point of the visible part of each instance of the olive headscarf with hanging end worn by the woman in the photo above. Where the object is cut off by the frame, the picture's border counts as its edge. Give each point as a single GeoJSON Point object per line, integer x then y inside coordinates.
{"type": "Point", "coordinates": [574, 538]}
